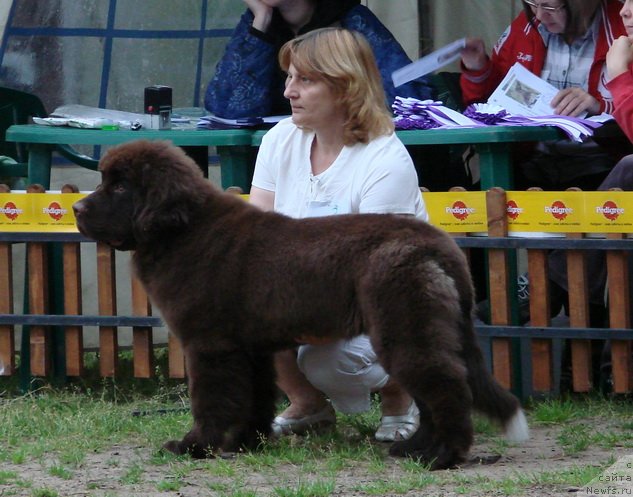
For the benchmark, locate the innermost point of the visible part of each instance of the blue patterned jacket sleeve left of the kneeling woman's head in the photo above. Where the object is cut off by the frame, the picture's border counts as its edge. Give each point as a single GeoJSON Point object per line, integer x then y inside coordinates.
{"type": "Point", "coordinates": [243, 84]}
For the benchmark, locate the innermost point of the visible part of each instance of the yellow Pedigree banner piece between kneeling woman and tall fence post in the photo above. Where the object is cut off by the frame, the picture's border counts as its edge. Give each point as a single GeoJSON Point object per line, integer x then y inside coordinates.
{"type": "Point", "coordinates": [457, 211]}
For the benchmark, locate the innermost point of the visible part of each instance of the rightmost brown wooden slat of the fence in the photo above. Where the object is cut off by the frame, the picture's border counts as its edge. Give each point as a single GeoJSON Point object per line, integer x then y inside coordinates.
{"type": "Point", "coordinates": [619, 316]}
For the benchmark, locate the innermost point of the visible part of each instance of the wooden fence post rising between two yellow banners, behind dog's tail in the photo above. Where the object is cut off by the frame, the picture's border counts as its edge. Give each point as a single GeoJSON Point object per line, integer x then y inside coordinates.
{"type": "Point", "coordinates": [498, 269]}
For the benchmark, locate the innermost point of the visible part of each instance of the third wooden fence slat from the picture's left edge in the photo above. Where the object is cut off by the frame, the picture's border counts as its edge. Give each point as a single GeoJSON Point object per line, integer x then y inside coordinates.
{"type": "Point", "coordinates": [73, 307]}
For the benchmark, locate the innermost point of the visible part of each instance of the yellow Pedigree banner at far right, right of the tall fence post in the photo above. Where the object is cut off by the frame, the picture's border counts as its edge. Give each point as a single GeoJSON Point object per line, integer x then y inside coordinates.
{"type": "Point", "coordinates": [570, 212]}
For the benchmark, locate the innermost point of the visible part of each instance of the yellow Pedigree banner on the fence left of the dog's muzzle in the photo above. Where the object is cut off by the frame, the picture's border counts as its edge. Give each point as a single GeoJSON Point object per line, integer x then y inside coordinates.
{"type": "Point", "coordinates": [38, 212]}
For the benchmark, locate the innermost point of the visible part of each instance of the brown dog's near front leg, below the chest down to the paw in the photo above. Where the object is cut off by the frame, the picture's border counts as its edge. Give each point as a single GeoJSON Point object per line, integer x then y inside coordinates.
{"type": "Point", "coordinates": [221, 392]}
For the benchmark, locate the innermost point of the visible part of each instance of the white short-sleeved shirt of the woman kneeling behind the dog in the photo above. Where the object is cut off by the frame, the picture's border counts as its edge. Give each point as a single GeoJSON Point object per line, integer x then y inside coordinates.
{"type": "Point", "coordinates": [375, 177]}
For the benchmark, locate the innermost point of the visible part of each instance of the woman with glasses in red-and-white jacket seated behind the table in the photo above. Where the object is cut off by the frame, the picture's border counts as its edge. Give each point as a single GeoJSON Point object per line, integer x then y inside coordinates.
{"type": "Point", "coordinates": [565, 42]}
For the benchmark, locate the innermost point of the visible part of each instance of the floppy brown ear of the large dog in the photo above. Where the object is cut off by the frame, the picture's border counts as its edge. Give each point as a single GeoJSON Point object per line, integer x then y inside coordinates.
{"type": "Point", "coordinates": [167, 197]}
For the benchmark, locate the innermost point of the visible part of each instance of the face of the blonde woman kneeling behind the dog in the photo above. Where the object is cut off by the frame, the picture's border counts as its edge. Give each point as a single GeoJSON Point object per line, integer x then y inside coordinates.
{"type": "Point", "coordinates": [312, 100]}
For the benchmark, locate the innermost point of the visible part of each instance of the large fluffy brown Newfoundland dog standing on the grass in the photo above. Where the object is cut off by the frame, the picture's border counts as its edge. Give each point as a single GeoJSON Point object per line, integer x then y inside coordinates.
{"type": "Point", "coordinates": [236, 284]}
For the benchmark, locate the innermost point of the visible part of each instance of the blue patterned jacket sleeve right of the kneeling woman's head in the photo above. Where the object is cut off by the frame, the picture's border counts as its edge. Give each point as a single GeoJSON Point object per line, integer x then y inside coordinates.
{"type": "Point", "coordinates": [388, 52]}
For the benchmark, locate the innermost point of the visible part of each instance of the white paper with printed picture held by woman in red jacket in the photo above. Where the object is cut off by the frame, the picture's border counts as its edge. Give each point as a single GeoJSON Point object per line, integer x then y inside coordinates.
{"type": "Point", "coordinates": [523, 93]}
